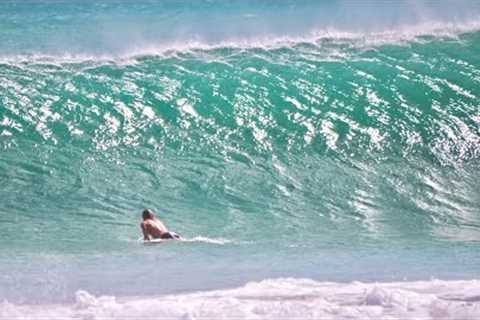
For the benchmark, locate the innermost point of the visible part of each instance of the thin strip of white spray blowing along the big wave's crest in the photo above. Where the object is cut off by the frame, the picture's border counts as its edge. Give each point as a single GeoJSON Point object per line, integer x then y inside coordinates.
{"type": "Point", "coordinates": [360, 39]}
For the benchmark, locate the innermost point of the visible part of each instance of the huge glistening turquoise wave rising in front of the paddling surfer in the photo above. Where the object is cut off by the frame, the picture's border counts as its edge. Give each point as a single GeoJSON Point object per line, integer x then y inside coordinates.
{"type": "Point", "coordinates": [325, 140]}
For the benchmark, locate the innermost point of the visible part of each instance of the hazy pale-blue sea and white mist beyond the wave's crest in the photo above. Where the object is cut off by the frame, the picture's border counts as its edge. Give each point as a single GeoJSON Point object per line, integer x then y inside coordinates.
{"type": "Point", "coordinates": [128, 27]}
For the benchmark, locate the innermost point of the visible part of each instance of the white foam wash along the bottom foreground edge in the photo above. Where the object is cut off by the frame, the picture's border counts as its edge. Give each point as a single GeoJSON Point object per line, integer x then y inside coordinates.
{"type": "Point", "coordinates": [278, 299]}
